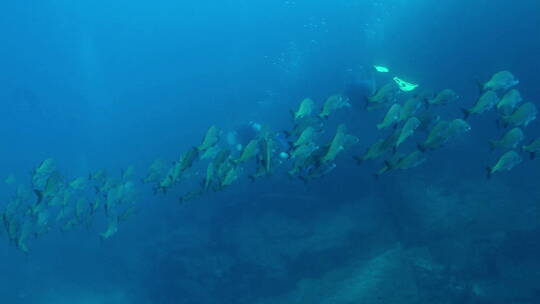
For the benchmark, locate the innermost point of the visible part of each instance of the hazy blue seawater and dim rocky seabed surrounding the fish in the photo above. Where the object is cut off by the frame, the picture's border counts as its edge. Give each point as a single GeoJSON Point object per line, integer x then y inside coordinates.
{"type": "Point", "coordinates": [113, 84]}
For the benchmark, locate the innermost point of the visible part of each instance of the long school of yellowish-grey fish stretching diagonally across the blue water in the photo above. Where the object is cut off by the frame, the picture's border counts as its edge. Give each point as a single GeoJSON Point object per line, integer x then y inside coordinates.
{"type": "Point", "coordinates": [50, 200]}
